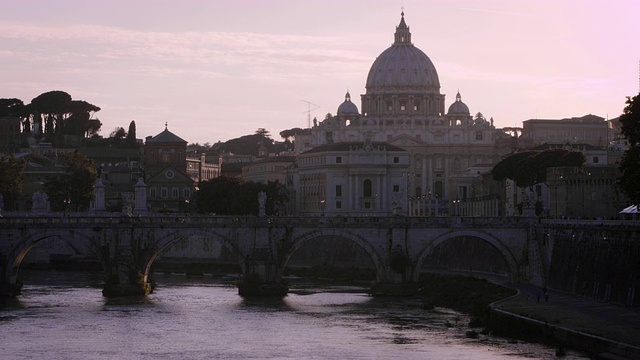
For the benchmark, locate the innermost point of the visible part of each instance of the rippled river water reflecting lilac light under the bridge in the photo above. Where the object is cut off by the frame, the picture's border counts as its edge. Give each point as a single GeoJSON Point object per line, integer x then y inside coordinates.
{"type": "Point", "coordinates": [64, 316]}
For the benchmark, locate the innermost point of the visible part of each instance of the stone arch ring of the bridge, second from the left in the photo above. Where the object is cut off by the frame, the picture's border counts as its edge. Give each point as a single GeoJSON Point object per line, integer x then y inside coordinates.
{"type": "Point", "coordinates": [165, 241]}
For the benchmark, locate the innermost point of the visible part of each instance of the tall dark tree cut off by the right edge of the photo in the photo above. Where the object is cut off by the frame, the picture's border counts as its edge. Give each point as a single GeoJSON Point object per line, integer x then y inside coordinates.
{"type": "Point", "coordinates": [630, 163]}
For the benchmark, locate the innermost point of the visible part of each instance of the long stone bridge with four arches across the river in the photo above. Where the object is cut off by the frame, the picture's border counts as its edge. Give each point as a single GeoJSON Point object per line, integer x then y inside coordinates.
{"type": "Point", "coordinates": [128, 246]}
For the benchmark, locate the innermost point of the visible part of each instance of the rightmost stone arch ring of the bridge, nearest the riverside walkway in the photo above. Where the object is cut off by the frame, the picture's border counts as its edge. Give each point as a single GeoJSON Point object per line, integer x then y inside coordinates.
{"type": "Point", "coordinates": [512, 261]}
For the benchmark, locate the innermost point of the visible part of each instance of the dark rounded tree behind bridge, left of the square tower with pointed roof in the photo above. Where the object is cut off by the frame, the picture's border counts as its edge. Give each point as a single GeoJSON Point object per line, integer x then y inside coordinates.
{"type": "Point", "coordinates": [73, 190]}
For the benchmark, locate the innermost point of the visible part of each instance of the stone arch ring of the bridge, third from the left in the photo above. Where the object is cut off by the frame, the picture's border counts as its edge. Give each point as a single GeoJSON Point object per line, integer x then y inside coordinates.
{"type": "Point", "coordinates": [298, 241]}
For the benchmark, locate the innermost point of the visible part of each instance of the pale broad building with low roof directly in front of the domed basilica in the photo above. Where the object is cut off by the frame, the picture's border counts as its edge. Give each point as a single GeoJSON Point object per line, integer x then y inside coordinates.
{"type": "Point", "coordinates": [356, 178]}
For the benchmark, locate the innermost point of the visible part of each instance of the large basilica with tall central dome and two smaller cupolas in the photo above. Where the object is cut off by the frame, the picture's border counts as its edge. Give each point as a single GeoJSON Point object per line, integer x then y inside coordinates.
{"type": "Point", "coordinates": [447, 148]}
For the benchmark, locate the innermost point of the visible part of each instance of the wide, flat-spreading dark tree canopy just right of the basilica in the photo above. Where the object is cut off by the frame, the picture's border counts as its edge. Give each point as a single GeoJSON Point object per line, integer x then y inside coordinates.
{"type": "Point", "coordinates": [528, 168]}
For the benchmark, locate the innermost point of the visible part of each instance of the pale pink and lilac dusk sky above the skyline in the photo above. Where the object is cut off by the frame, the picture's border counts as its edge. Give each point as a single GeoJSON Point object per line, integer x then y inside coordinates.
{"type": "Point", "coordinates": [217, 70]}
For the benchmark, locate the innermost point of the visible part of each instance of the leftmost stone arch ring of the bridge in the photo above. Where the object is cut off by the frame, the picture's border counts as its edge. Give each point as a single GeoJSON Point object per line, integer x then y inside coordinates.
{"type": "Point", "coordinates": [36, 236]}
